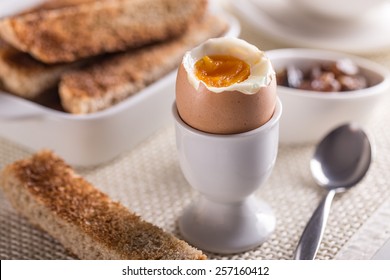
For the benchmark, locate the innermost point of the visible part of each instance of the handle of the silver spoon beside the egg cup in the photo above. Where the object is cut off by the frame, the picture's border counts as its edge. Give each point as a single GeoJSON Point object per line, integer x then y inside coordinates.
{"type": "Point", "coordinates": [311, 238]}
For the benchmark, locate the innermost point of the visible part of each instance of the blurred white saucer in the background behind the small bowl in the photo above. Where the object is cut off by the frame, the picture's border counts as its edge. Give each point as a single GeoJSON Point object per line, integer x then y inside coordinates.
{"type": "Point", "coordinates": [285, 23]}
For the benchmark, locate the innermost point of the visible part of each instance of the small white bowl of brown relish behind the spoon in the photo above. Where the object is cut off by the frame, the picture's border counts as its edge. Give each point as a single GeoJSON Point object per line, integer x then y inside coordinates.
{"type": "Point", "coordinates": [309, 115]}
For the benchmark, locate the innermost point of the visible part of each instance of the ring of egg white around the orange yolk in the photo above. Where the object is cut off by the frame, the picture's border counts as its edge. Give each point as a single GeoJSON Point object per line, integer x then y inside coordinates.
{"type": "Point", "coordinates": [261, 70]}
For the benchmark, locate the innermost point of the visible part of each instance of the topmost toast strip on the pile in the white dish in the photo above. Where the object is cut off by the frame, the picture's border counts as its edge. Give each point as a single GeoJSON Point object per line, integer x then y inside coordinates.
{"type": "Point", "coordinates": [84, 28]}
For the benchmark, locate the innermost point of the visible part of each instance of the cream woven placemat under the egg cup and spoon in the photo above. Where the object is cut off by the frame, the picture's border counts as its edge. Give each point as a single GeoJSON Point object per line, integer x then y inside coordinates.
{"type": "Point", "coordinates": [148, 181]}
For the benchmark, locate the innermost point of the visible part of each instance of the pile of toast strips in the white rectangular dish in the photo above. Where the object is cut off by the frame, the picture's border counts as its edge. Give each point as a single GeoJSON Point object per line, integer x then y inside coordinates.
{"type": "Point", "coordinates": [99, 52]}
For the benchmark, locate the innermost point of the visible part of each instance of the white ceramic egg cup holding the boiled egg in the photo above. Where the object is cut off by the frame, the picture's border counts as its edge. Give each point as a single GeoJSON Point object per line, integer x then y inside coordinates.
{"type": "Point", "coordinates": [227, 170]}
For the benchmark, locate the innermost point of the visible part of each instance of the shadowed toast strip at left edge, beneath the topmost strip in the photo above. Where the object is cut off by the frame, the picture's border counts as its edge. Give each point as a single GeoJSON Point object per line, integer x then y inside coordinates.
{"type": "Point", "coordinates": [24, 76]}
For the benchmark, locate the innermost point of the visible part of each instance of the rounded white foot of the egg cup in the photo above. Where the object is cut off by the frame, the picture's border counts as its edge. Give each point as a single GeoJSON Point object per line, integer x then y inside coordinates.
{"type": "Point", "coordinates": [231, 228]}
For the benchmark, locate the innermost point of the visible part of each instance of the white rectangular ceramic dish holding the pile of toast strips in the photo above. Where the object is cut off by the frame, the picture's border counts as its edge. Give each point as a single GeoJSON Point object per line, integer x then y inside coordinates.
{"type": "Point", "coordinates": [85, 140]}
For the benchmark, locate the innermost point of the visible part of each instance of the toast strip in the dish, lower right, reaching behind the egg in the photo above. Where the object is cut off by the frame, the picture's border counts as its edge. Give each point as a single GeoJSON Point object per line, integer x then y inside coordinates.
{"type": "Point", "coordinates": [106, 83]}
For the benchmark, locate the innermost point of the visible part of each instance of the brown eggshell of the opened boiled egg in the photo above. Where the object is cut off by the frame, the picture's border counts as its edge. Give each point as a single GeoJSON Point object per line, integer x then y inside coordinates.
{"type": "Point", "coordinates": [227, 111]}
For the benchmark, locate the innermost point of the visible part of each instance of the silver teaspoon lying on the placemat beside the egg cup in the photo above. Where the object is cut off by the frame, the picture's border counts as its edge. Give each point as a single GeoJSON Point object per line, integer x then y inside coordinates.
{"type": "Point", "coordinates": [340, 161]}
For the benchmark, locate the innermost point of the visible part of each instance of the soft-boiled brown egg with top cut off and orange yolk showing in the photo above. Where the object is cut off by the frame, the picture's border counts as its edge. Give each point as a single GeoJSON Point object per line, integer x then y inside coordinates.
{"type": "Point", "coordinates": [225, 86]}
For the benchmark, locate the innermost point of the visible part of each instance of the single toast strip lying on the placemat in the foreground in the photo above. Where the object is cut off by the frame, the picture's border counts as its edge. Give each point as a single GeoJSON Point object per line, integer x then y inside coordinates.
{"type": "Point", "coordinates": [45, 190]}
